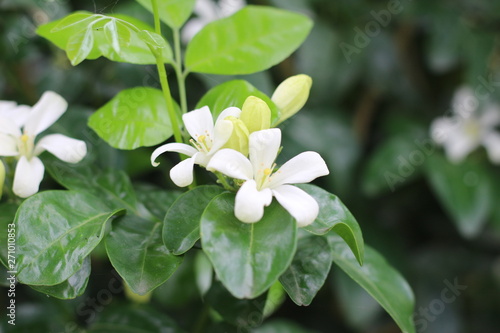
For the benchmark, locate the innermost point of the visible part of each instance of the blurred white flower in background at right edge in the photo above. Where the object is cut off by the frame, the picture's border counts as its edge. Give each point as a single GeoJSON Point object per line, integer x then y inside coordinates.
{"type": "Point", "coordinates": [467, 129]}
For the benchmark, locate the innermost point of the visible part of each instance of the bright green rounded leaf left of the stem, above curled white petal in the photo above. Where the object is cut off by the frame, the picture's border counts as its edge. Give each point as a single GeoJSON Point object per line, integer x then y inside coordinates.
{"type": "Point", "coordinates": [134, 118]}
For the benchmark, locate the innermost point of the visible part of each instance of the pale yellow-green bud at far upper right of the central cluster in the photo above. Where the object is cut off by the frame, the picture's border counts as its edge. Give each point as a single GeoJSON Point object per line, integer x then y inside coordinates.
{"type": "Point", "coordinates": [291, 95]}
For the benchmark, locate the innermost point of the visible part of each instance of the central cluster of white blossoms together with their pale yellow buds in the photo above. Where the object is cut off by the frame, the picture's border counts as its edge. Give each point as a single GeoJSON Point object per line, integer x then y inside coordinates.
{"type": "Point", "coordinates": [242, 146]}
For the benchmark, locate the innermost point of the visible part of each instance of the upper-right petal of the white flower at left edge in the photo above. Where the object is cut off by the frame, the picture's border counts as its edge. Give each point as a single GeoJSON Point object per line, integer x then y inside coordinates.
{"type": "Point", "coordinates": [45, 112]}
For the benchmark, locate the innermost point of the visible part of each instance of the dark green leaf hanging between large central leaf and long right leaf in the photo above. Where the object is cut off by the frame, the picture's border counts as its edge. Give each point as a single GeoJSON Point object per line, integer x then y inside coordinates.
{"type": "Point", "coordinates": [308, 271]}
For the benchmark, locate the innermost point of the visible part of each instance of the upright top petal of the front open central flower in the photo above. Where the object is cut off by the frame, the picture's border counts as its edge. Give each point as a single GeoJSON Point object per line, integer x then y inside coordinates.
{"type": "Point", "coordinates": [263, 148]}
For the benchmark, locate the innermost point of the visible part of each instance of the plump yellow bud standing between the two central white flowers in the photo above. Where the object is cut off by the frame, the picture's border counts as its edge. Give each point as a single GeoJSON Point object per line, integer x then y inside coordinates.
{"type": "Point", "coordinates": [256, 114]}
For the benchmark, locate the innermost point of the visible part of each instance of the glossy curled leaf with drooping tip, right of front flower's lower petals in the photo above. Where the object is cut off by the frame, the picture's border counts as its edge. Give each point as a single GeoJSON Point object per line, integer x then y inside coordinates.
{"type": "Point", "coordinates": [333, 215]}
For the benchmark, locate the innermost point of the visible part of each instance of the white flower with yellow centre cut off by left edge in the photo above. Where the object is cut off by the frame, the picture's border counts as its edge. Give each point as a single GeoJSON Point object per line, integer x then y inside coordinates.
{"type": "Point", "coordinates": [19, 126]}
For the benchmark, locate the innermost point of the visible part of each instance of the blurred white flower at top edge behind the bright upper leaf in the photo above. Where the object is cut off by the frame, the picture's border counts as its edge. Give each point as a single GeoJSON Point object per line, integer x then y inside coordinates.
{"type": "Point", "coordinates": [208, 11]}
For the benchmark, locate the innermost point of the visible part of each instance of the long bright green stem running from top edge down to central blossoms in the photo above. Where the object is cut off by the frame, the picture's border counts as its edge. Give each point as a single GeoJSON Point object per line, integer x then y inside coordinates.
{"type": "Point", "coordinates": [162, 73]}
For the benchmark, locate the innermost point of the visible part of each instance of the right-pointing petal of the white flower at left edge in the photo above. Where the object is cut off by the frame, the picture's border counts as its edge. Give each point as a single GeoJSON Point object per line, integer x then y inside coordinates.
{"type": "Point", "coordinates": [64, 148]}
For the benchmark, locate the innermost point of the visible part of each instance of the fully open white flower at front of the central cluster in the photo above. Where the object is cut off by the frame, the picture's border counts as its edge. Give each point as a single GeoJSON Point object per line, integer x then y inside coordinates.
{"type": "Point", "coordinates": [261, 183]}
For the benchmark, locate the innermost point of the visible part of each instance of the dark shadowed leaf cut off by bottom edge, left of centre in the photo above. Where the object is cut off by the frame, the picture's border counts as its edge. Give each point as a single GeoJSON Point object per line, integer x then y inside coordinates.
{"type": "Point", "coordinates": [133, 318]}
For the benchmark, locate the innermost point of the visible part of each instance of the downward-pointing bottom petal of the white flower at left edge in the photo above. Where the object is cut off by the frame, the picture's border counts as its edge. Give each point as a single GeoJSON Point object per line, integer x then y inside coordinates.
{"type": "Point", "coordinates": [28, 176]}
